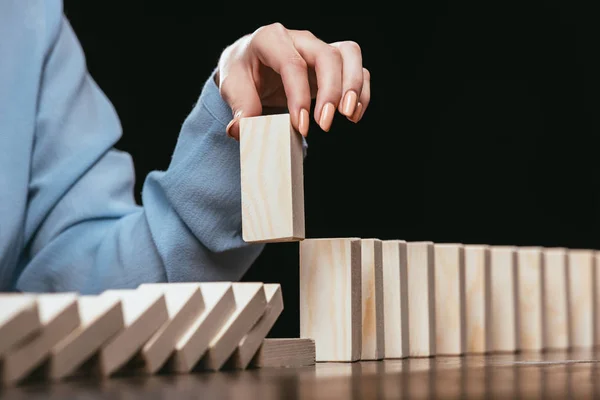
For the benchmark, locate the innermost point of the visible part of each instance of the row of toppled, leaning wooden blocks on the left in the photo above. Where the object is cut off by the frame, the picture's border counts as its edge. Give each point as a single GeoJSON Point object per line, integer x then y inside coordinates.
{"type": "Point", "coordinates": [173, 327]}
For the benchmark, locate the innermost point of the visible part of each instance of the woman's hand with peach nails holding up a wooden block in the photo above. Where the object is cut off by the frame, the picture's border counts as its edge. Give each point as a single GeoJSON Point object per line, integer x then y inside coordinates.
{"type": "Point", "coordinates": [275, 67]}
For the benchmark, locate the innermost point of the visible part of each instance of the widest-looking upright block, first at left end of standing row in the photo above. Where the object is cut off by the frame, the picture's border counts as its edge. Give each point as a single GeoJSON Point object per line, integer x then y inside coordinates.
{"type": "Point", "coordinates": [330, 296]}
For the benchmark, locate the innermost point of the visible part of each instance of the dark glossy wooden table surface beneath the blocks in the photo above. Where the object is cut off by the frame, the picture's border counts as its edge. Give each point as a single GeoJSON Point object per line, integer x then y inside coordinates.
{"type": "Point", "coordinates": [551, 375]}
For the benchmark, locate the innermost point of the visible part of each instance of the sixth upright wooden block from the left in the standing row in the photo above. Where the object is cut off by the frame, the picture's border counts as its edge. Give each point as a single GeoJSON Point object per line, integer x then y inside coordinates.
{"type": "Point", "coordinates": [477, 264]}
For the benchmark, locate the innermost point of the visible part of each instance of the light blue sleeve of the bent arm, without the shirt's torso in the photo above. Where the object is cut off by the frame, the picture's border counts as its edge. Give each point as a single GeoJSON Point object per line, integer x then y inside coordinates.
{"type": "Point", "coordinates": [84, 230]}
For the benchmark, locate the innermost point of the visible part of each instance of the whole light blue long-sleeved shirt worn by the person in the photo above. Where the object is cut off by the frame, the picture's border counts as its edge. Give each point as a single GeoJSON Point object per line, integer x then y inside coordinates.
{"type": "Point", "coordinates": [68, 217]}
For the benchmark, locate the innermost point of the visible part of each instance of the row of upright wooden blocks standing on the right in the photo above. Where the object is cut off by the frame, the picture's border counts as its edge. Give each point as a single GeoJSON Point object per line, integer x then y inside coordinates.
{"type": "Point", "coordinates": [371, 299]}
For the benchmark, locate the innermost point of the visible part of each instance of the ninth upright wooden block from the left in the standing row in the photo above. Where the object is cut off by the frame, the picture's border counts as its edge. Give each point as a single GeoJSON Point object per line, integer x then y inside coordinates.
{"type": "Point", "coordinates": [554, 299]}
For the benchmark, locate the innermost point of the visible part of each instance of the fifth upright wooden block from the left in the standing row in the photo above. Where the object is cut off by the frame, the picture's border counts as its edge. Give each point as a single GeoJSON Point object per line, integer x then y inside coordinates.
{"type": "Point", "coordinates": [449, 271]}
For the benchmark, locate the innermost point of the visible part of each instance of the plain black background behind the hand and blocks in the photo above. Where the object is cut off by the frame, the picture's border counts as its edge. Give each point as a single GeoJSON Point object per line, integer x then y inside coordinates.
{"type": "Point", "coordinates": [481, 128]}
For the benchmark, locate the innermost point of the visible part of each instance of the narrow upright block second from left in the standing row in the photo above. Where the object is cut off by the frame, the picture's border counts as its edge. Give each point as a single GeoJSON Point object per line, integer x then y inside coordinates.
{"type": "Point", "coordinates": [373, 323]}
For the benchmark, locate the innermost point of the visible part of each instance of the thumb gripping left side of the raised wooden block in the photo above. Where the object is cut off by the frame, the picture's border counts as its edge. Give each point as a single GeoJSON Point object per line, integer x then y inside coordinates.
{"type": "Point", "coordinates": [239, 91]}
